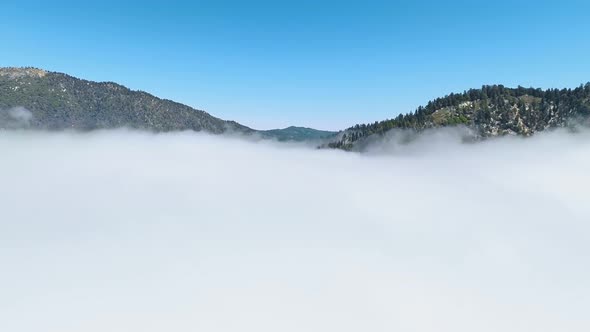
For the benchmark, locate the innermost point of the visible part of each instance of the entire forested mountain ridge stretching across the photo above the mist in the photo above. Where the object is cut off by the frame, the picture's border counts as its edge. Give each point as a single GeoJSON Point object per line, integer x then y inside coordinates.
{"type": "Point", "coordinates": [58, 101]}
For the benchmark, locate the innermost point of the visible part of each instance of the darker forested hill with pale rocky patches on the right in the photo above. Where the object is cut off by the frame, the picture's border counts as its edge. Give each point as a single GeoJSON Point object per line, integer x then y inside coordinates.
{"type": "Point", "coordinates": [490, 111]}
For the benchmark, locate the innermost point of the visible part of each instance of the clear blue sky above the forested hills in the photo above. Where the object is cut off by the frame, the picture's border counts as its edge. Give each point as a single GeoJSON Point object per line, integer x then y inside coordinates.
{"type": "Point", "coordinates": [325, 64]}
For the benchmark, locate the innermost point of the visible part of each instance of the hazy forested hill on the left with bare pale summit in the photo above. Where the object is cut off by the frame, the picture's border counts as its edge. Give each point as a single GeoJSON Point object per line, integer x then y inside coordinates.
{"type": "Point", "coordinates": [59, 101]}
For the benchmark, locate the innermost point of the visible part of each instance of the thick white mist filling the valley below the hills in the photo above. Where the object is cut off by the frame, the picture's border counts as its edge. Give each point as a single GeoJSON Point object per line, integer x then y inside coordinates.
{"type": "Point", "coordinates": [133, 231]}
